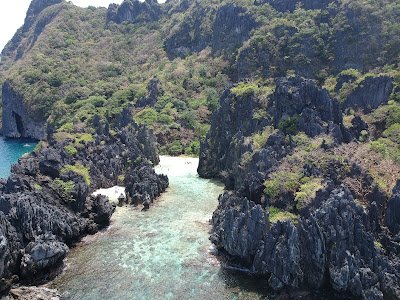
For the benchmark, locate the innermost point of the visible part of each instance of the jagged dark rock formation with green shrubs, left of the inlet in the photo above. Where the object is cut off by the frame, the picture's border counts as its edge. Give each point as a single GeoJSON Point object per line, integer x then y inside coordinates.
{"type": "Point", "coordinates": [46, 203]}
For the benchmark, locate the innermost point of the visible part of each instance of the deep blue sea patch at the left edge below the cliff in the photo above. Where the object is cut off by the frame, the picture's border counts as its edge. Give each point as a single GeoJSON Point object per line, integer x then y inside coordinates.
{"type": "Point", "coordinates": [10, 151]}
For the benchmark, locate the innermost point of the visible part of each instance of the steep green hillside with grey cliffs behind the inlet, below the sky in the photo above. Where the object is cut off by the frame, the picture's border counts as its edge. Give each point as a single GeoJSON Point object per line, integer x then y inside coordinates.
{"type": "Point", "coordinates": [172, 61]}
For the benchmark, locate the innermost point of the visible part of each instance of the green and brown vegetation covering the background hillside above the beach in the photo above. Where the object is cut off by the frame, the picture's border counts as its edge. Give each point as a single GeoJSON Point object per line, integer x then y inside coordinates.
{"type": "Point", "coordinates": [79, 66]}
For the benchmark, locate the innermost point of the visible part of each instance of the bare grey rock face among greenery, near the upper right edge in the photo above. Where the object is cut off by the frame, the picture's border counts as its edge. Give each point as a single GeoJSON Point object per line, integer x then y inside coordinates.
{"type": "Point", "coordinates": [370, 93]}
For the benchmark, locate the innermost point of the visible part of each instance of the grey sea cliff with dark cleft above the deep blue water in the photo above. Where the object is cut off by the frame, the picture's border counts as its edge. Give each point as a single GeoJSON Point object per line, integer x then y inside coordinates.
{"type": "Point", "coordinates": [17, 123]}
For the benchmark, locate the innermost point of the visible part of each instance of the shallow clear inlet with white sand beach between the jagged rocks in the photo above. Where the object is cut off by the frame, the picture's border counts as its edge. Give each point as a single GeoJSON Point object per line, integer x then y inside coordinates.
{"type": "Point", "coordinates": [163, 253]}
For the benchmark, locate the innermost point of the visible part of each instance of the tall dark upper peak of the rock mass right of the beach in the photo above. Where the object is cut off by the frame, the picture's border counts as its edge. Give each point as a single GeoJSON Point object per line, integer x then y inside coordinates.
{"type": "Point", "coordinates": [296, 103]}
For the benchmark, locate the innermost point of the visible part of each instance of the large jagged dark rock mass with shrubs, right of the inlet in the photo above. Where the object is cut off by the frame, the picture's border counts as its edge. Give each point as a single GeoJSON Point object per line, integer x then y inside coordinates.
{"type": "Point", "coordinates": [299, 239]}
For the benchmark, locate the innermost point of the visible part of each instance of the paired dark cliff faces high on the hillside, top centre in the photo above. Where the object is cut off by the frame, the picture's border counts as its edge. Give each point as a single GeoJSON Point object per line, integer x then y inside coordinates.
{"type": "Point", "coordinates": [231, 26]}
